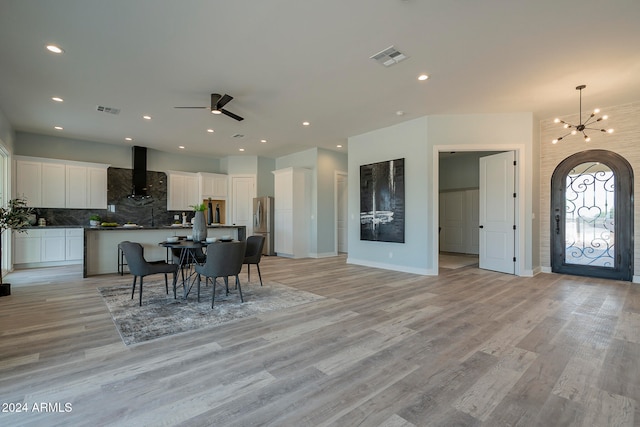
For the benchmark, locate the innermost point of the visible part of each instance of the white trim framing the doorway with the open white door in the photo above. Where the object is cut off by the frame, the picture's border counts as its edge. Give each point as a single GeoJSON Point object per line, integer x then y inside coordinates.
{"type": "Point", "coordinates": [520, 207]}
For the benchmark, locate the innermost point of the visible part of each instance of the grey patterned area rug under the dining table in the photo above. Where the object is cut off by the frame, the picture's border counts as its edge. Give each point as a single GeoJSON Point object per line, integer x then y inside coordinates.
{"type": "Point", "coordinates": [161, 315]}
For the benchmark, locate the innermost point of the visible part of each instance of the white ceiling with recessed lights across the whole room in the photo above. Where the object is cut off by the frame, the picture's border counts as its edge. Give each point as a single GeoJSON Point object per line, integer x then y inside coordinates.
{"type": "Point", "coordinates": [287, 61]}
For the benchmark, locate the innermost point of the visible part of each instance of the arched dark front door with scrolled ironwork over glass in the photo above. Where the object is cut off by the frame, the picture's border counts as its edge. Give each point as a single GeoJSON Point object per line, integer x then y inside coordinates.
{"type": "Point", "coordinates": [592, 216]}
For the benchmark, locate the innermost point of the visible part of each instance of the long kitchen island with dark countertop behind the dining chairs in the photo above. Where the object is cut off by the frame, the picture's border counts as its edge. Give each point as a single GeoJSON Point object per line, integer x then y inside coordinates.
{"type": "Point", "coordinates": [101, 243]}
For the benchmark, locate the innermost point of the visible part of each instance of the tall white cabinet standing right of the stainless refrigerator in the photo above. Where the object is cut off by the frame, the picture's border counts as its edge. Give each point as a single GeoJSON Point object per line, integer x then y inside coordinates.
{"type": "Point", "coordinates": [292, 212]}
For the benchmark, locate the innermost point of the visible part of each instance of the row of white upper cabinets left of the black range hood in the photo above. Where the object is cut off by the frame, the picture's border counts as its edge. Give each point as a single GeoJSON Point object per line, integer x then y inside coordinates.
{"type": "Point", "coordinates": [48, 183]}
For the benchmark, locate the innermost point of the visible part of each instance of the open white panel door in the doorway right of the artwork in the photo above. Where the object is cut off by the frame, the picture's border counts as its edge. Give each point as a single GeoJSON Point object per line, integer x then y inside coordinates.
{"type": "Point", "coordinates": [497, 212]}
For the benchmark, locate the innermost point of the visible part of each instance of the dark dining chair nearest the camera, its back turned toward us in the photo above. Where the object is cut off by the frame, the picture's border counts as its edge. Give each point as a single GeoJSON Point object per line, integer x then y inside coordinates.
{"type": "Point", "coordinates": [224, 259]}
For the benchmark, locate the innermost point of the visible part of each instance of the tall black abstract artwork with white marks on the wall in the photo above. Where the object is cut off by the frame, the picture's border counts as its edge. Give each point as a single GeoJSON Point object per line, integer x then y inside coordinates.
{"type": "Point", "coordinates": [382, 201]}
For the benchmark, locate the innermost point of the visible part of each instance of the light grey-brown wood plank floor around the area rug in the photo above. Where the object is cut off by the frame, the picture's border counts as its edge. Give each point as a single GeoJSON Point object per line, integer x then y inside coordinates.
{"type": "Point", "coordinates": [469, 348]}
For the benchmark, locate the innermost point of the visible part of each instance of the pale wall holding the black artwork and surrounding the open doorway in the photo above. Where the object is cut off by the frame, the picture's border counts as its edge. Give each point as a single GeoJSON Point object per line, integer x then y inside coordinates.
{"type": "Point", "coordinates": [419, 141]}
